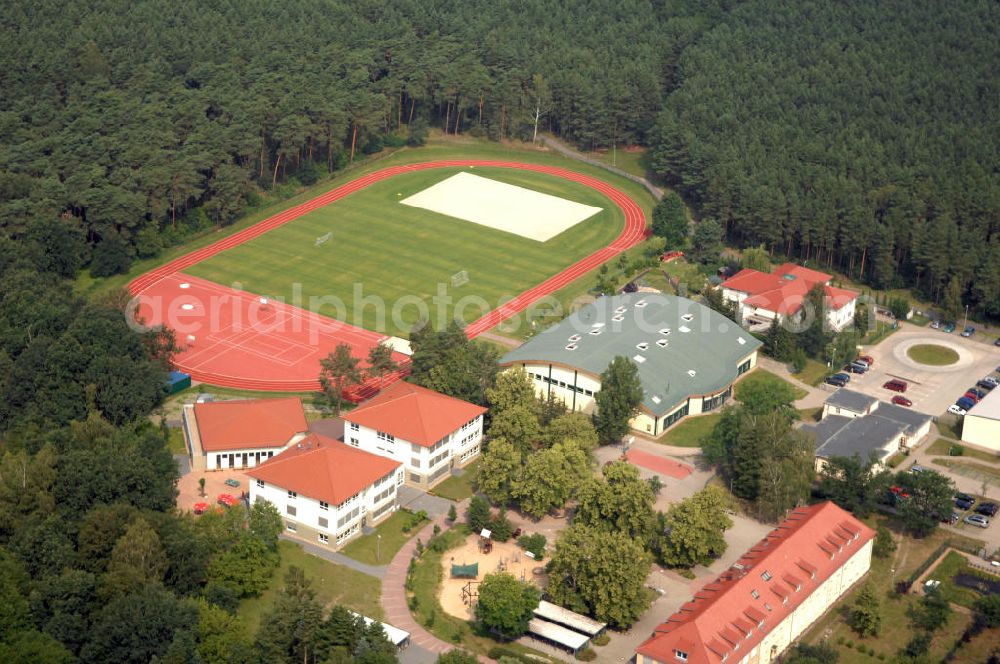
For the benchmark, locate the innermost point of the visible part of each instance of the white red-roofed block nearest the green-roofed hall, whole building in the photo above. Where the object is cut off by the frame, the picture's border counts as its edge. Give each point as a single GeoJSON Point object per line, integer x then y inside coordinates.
{"type": "Point", "coordinates": [428, 432]}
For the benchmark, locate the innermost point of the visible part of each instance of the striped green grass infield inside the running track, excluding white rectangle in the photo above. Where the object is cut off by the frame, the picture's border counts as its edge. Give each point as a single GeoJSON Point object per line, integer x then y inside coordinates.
{"type": "Point", "coordinates": [368, 251]}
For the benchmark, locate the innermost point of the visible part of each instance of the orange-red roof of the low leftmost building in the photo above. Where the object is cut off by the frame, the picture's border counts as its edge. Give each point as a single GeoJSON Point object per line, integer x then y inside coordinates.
{"type": "Point", "coordinates": [249, 424]}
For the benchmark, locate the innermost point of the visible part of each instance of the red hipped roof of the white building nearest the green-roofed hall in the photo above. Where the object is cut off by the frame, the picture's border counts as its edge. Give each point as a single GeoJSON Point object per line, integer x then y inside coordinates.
{"type": "Point", "coordinates": [414, 414]}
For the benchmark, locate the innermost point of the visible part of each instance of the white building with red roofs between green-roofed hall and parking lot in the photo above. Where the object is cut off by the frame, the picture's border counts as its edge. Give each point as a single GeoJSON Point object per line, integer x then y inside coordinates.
{"type": "Point", "coordinates": [761, 297]}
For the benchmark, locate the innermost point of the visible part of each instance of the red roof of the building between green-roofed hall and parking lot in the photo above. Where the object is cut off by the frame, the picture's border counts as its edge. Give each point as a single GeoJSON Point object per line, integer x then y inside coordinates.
{"type": "Point", "coordinates": [784, 290]}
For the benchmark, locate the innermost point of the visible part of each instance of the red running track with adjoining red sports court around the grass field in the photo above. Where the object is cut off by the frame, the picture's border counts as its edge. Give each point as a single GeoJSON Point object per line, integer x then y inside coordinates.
{"type": "Point", "coordinates": [260, 357]}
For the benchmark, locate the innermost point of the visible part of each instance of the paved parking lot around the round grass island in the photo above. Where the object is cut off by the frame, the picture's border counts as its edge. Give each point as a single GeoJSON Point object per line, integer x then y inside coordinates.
{"type": "Point", "coordinates": [932, 389]}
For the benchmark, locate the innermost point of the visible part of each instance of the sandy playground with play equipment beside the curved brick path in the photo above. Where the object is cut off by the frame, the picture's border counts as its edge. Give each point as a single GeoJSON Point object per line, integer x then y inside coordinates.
{"type": "Point", "coordinates": [458, 587]}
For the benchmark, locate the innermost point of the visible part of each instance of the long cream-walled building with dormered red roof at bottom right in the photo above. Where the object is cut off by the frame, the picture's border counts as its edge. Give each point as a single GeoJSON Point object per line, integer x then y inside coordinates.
{"type": "Point", "coordinates": [770, 596]}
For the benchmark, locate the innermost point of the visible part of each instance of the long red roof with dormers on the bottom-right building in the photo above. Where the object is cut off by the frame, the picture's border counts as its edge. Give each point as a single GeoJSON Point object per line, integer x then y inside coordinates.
{"type": "Point", "coordinates": [795, 557]}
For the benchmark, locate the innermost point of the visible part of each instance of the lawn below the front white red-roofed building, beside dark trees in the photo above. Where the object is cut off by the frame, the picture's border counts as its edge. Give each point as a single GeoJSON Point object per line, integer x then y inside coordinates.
{"type": "Point", "coordinates": [334, 584]}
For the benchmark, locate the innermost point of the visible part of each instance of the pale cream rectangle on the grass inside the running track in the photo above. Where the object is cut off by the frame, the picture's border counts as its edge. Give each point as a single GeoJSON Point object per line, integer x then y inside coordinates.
{"type": "Point", "coordinates": [506, 207]}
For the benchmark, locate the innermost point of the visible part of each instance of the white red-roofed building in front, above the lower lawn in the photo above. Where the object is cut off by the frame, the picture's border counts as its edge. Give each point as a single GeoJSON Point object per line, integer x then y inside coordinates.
{"type": "Point", "coordinates": [326, 491]}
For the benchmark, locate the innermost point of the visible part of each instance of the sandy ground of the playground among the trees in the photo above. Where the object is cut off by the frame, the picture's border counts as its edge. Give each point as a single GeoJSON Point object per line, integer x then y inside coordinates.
{"type": "Point", "coordinates": [509, 553]}
